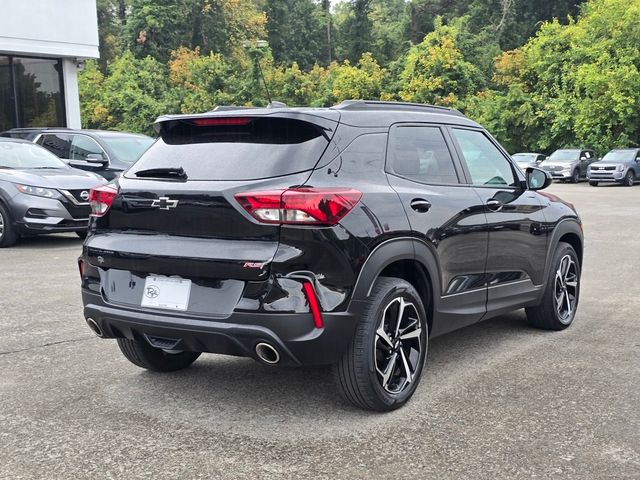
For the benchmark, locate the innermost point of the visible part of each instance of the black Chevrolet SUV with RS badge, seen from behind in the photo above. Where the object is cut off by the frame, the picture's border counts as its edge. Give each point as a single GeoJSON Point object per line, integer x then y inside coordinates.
{"type": "Point", "coordinates": [348, 235]}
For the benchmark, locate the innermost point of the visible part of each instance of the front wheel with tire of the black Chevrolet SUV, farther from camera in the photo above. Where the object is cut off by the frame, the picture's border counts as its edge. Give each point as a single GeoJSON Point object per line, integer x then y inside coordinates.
{"type": "Point", "coordinates": [560, 299]}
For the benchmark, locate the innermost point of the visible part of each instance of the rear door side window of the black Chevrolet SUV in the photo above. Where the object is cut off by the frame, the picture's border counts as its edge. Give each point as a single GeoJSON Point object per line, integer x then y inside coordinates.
{"type": "Point", "coordinates": [421, 154]}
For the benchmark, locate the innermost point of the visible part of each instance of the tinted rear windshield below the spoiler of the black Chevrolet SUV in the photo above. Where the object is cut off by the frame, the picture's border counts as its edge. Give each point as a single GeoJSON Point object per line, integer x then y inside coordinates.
{"type": "Point", "coordinates": [238, 148]}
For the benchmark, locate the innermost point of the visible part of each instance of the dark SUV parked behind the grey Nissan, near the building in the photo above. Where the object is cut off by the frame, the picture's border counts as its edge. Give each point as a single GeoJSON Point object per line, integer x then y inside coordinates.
{"type": "Point", "coordinates": [103, 152]}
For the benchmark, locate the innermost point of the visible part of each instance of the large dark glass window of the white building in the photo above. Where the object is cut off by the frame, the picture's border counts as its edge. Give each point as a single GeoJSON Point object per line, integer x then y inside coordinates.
{"type": "Point", "coordinates": [31, 93]}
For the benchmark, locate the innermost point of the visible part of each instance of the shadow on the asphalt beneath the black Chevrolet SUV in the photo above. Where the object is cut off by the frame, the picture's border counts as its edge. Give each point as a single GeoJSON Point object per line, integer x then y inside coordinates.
{"type": "Point", "coordinates": [243, 396]}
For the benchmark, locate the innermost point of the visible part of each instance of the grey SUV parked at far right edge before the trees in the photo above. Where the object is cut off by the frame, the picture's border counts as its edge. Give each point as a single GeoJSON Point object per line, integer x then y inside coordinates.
{"type": "Point", "coordinates": [617, 166]}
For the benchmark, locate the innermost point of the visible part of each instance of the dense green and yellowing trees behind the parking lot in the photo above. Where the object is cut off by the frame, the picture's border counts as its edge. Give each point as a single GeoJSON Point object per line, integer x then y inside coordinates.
{"type": "Point", "coordinates": [538, 74]}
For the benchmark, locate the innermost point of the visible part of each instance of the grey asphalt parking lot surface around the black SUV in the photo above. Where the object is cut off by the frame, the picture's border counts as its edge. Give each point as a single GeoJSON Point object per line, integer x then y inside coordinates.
{"type": "Point", "coordinates": [498, 400]}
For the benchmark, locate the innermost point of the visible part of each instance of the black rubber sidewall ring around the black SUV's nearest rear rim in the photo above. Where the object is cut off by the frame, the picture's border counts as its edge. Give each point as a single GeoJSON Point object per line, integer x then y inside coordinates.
{"type": "Point", "coordinates": [407, 292]}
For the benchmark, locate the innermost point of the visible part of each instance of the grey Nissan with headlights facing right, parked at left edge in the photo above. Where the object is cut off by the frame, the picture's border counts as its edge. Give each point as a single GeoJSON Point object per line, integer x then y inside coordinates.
{"type": "Point", "coordinates": [39, 193]}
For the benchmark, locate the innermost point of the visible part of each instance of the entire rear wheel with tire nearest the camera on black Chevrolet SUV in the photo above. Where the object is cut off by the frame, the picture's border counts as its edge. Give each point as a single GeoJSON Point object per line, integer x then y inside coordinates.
{"type": "Point", "coordinates": [362, 374]}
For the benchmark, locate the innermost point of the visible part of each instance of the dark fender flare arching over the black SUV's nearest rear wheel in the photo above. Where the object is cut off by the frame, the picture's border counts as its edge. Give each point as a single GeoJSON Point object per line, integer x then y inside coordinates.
{"type": "Point", "coordinates": [392, 251]}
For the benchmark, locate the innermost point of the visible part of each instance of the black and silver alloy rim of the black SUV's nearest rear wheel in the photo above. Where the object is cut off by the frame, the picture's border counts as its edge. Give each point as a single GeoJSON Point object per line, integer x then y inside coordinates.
{"type": "Point", "coordinates": [398, 345]}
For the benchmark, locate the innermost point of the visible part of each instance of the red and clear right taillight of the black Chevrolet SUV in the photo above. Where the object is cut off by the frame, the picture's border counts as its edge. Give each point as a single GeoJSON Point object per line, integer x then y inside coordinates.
{"type": "Point", "coordinates": [300, 206]}
